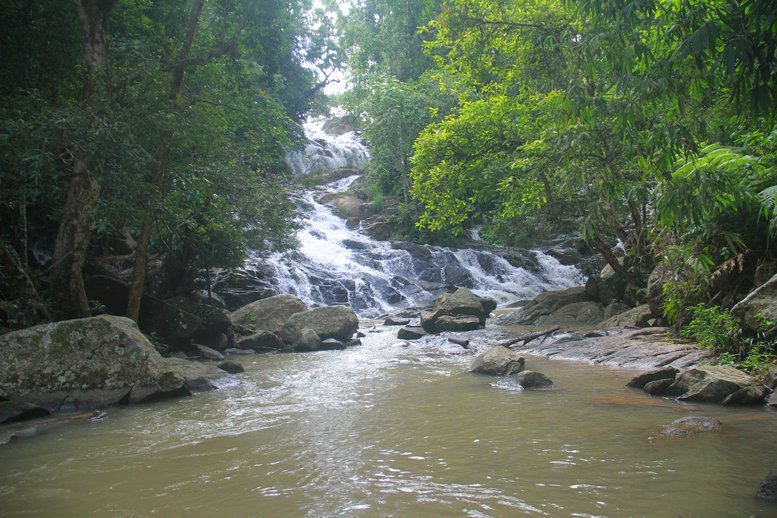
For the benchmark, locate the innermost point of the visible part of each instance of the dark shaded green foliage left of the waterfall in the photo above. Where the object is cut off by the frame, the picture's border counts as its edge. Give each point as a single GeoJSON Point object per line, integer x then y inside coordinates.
{"type": "Point", "coordinates": [223, 188]}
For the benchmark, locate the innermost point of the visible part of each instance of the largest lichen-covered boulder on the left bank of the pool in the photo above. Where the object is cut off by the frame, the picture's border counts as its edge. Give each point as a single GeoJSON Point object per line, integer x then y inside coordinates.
{"type": "Point", "coordinates": [83, 363]}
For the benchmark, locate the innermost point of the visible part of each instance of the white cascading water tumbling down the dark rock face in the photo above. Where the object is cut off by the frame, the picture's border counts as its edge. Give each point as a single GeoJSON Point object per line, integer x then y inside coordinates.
{"type": "Point", "coordinates": [336, 265]}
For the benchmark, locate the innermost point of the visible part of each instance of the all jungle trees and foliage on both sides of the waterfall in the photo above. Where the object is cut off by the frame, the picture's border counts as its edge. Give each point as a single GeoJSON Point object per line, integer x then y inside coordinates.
{"type": "Point", "coordinates": [155, 131]}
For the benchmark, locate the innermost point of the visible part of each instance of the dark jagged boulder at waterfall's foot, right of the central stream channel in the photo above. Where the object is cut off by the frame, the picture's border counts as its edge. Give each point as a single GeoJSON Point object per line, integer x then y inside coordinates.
{"type": "Point", "coordinates": [461, 310]}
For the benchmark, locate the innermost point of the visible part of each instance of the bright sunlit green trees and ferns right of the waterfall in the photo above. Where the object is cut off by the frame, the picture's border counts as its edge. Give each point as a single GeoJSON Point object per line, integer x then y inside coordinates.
{"type": "Point", "coordinates": [647, 123]}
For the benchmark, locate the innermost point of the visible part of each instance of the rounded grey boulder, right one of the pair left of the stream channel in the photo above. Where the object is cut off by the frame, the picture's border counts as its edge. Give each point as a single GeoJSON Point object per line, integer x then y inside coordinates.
{"type": "Point", "coordinates": [338, 322]}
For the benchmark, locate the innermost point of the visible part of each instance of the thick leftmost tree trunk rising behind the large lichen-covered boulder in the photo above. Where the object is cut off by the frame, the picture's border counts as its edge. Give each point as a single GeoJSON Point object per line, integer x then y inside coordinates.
{"type": "Point", "coordinates": [75, 229]}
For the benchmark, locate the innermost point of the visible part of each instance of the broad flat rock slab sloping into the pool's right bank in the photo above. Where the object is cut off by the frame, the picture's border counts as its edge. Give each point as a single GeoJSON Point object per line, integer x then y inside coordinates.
{"type": "Point", "coordinates": [648, 348]}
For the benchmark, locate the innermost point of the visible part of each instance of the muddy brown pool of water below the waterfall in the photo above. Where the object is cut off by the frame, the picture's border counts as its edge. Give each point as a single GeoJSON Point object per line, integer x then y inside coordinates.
{"type": "Point", "coordinates": [386, 429]}
